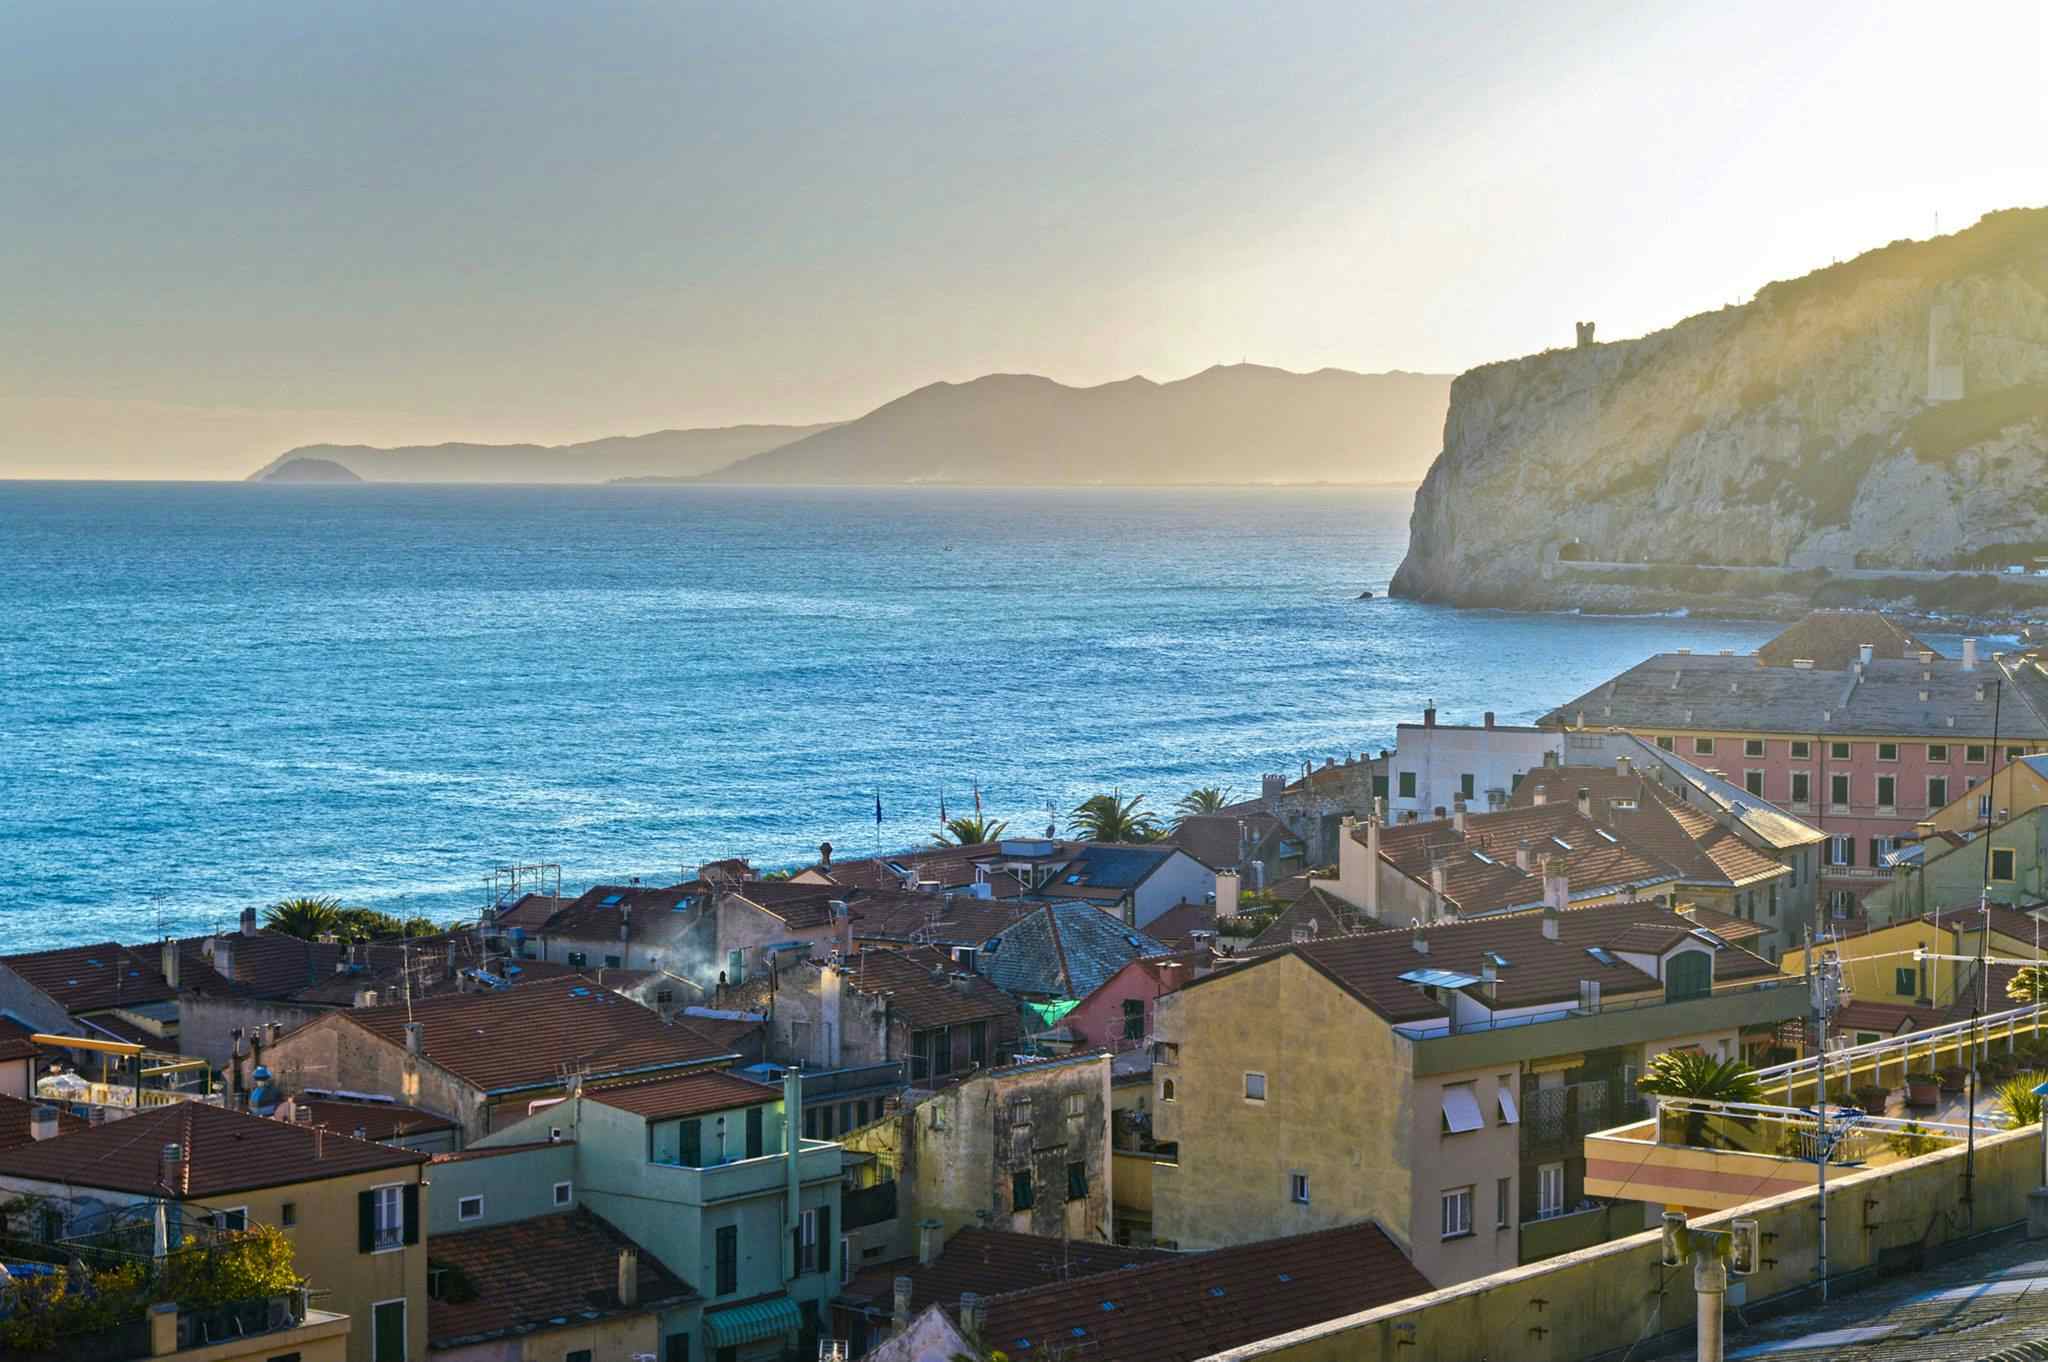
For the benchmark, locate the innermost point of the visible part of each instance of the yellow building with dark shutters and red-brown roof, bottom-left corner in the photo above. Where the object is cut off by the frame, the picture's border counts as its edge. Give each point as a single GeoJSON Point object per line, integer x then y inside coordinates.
{"type": "Point", "coordinates": [355, 1211]}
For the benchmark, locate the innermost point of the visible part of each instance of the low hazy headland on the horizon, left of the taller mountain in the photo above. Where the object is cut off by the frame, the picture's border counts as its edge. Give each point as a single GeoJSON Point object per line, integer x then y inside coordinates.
{"type": "Point", "coordinates": [665, 454]}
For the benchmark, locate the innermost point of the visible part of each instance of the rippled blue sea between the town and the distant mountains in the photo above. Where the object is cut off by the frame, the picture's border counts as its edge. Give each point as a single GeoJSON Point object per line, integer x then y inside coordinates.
{"type": "Point", "coordinates": [216, 695]}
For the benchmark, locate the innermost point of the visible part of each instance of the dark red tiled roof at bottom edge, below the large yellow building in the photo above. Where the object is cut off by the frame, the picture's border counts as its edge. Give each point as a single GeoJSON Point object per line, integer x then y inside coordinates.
{"type": "Point", "coordinates": [1203, 1304]}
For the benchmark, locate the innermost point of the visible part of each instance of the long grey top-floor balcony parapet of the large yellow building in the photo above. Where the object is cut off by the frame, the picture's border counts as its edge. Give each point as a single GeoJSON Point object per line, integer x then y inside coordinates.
{"type": "Point", "coordinates": [1568, 1031]}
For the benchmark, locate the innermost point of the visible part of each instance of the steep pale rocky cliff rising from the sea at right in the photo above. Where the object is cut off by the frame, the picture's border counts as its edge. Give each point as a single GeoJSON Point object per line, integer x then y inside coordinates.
{"type": "Point", "coordinates": [1889, 413]}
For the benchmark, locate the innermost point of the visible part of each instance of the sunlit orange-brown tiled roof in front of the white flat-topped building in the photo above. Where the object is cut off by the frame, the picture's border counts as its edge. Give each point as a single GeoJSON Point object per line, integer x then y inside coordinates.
{"type": "Point", "coordinates": [1480, 863]}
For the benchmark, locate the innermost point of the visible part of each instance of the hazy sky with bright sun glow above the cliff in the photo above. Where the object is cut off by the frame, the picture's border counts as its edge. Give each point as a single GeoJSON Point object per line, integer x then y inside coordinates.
{"type": "Point", "coordinates": [232, 228]}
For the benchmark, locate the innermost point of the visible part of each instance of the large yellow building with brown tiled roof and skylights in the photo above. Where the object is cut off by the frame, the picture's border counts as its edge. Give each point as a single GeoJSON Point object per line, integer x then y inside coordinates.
{"type": "Point", "coordinates": [1439, 1082]}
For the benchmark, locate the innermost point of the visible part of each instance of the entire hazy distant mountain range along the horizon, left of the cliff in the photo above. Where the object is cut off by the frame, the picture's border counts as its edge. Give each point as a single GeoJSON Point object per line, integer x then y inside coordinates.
{"type": "Point", "coordinates": [1226, 425]}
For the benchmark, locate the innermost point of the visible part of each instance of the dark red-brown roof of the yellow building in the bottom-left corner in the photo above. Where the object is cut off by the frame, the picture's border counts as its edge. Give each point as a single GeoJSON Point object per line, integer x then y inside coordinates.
{"type": "Point", "coordinates": [222, 1152]}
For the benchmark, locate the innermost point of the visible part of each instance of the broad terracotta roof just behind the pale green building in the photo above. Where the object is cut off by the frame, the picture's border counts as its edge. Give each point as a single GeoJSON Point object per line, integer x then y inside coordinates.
{"type": "Point", "coordinates": [525, 1037]}
